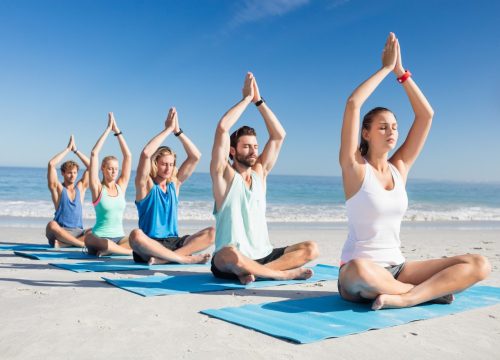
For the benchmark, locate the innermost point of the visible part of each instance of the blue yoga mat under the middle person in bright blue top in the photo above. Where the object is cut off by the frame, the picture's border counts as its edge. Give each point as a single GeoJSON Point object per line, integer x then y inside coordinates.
{"type": "Point", "coordinates": [126, 265]}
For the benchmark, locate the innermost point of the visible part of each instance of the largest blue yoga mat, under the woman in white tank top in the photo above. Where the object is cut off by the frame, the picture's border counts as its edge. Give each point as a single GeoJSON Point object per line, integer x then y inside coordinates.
{"type": "Point", "coordinates": [313, 319]}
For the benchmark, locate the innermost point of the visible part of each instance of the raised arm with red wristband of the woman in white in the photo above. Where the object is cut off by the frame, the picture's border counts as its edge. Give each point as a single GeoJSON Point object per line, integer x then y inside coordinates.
{"type": "Point", "coordinates": [408, 152]}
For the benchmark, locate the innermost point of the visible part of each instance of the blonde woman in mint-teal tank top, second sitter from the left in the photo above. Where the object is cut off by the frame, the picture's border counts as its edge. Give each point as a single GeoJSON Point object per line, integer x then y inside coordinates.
{"type": "Point", "coordinates": [108, 197]}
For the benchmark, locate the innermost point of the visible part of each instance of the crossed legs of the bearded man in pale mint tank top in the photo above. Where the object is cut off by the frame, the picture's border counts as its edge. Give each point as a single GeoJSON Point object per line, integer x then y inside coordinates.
{"type": "Point", "coordinates": [286, 267]}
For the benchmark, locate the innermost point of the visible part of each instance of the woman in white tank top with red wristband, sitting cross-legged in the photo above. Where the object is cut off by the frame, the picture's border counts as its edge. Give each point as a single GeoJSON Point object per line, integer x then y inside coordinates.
{"type": "Point", "coordinates": [372, 265]}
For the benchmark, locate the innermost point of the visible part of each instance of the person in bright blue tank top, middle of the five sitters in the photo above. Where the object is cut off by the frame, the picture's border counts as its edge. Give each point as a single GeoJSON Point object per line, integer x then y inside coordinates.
{"type": "Point", "coordinates": [157, 185]}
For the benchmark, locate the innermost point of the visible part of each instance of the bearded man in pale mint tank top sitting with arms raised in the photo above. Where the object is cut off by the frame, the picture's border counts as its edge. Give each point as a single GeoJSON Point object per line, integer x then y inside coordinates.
{"type": "Point", "coordinates": [242, 247]}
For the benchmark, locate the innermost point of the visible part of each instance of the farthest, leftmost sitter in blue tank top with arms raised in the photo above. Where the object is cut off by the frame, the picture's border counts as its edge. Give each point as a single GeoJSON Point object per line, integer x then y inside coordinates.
{"type": "Point", "coordinates": [67, 227]}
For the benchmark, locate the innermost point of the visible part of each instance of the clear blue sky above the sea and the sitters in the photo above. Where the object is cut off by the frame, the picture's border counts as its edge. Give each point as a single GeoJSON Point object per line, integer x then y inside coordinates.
{"type": "Point", "coordinates": [65, 64]}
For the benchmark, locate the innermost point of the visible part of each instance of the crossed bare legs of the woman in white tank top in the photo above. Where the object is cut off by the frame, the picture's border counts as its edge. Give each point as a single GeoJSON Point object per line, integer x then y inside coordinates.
{"type": "Point", "coordinates": [418, 282]}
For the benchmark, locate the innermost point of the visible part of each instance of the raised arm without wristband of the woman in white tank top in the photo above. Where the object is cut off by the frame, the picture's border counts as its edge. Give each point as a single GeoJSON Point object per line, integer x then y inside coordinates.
{"type": "Point", "coordinates": [349, 155]}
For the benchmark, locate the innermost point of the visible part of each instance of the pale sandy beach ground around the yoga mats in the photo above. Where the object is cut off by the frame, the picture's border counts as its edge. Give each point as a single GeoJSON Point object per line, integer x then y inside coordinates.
{"type": "Point", "coordinates": [53, 313]}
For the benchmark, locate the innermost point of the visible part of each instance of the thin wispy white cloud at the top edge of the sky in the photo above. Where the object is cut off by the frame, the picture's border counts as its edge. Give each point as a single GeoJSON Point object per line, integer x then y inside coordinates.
{"type": "Point", "coordinates": [255, 10]}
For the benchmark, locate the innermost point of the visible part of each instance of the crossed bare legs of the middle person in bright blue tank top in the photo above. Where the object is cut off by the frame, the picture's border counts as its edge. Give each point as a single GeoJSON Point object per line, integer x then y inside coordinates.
{"type": "Point", "coordinates": [158, 254]}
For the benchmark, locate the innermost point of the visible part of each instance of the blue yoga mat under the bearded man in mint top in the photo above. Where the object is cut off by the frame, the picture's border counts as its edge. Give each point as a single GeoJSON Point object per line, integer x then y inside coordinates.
{"type": "Point", "coordinates": [205, 282]}
